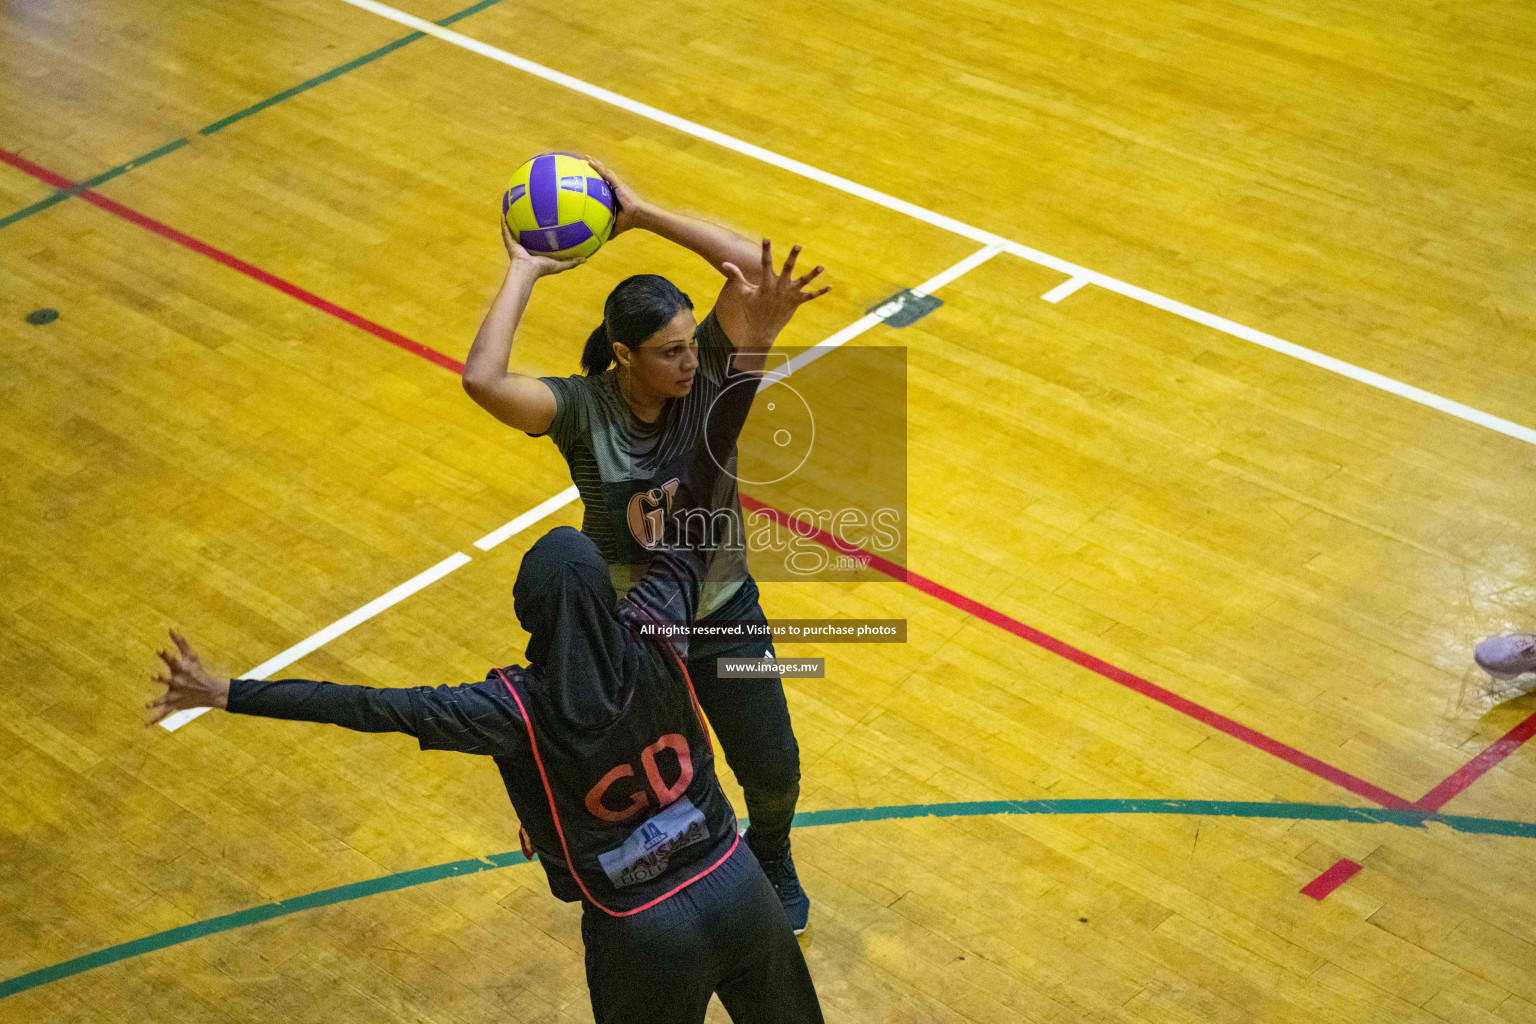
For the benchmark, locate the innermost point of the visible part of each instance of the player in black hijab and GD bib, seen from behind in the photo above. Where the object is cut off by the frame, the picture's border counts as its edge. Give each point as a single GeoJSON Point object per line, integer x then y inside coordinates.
{"type": "Point", "coordinates": [609, 765]}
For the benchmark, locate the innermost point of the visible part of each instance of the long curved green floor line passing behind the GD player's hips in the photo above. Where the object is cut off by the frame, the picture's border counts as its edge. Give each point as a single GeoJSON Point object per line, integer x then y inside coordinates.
{"type": "Point", "coordinates": [803, 821]}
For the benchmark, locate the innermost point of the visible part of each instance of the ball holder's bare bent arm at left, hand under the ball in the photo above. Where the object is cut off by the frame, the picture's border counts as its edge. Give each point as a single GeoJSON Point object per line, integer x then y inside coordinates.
{"type": "Point", "coordinates": [514, 398]}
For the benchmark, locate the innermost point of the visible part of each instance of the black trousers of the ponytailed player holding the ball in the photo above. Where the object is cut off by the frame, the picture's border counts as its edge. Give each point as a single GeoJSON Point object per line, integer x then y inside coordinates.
{"type": "Point", "coordinates": [752, 724]}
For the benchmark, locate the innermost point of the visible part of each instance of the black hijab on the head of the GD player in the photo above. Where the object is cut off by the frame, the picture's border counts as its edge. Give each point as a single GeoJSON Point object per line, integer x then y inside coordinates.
{"type": "Point", "coordinates": [578, 650]}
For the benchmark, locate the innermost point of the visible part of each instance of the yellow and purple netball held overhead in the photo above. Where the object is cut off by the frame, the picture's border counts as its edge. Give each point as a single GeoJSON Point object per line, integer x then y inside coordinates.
{"type": "Point", "coordinates": [558, 206]}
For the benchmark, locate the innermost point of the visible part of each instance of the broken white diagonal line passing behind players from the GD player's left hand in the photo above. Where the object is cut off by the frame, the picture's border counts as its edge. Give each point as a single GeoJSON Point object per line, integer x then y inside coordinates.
{"type": "Point", "coordinates": [422, 581]}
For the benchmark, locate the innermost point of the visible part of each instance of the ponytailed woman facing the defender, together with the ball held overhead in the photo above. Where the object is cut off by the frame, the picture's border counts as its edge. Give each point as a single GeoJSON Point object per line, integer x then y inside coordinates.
{"type": "Point", "coordinates": [632, 424]}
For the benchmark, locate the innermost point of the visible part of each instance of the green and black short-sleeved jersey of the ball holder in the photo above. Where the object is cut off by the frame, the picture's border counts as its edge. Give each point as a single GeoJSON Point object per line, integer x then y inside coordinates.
{"type": "Point", "coordinates": [627, 471]}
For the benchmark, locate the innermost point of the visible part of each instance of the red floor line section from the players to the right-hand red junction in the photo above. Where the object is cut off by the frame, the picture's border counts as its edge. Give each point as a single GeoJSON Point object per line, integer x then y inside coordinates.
{"type": "Point", "coordinates": [1101, 667]}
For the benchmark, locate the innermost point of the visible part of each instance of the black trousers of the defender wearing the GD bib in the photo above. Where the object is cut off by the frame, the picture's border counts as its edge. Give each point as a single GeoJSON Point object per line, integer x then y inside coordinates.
{"type": "Point", "coordinates": [723, 934]}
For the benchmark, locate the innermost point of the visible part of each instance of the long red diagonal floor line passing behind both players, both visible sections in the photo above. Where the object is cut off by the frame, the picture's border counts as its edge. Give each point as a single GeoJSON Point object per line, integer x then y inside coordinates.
{"type": "Point", "coordinates": [1113, 673]}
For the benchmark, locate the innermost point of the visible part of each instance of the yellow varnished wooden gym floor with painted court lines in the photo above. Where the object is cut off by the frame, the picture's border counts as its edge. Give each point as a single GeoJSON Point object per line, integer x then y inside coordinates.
{"type": "Point", "coordinates": [1254, 578]}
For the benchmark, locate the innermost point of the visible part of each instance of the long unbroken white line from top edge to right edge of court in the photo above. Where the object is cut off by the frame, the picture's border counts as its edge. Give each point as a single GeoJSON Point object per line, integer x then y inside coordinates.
{"type": "Point", "coordinates": [959, 228]}
